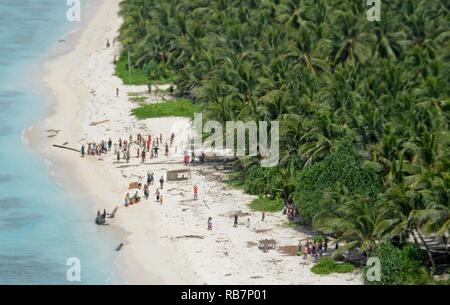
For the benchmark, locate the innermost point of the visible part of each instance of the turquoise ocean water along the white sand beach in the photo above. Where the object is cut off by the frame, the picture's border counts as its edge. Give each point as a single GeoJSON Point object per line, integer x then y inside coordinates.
{"type": "Point", "coordinates": [41, 225]}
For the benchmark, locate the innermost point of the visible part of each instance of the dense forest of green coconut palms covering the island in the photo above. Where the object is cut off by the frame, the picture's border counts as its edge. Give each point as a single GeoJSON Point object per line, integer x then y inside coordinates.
{"type": "Point", "coordinates": [363, 106]}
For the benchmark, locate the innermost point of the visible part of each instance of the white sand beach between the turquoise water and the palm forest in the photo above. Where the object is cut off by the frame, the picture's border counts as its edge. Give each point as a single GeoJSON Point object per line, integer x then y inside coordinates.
{"type": "Point", "coordinates": [168, 243]}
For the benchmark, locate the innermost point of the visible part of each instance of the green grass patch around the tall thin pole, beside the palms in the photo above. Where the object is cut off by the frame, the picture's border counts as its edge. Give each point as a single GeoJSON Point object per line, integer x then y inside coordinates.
{"type": "Point", "coordinates": [155, 73]}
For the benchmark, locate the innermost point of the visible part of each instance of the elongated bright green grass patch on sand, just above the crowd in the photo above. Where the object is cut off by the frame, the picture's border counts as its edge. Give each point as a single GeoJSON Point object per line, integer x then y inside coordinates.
{"type": "Point", "coordinates": [180, 107]}
